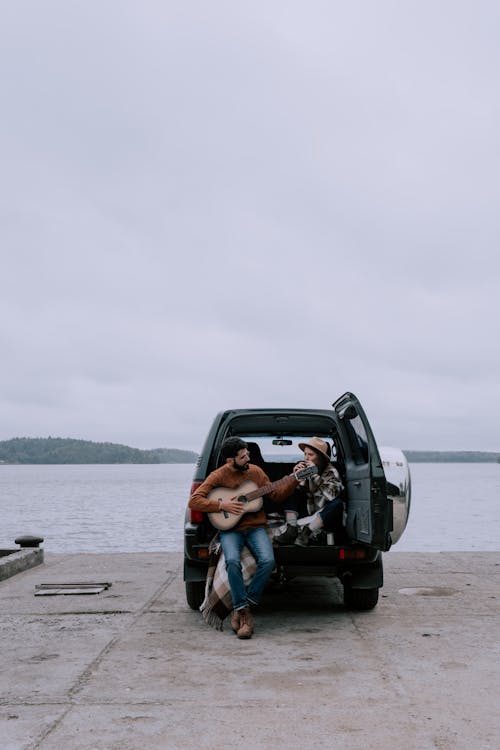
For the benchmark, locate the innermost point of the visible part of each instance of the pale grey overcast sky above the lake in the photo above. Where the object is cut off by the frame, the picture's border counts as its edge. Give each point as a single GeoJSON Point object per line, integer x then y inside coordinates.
{"type": "Point", "coordinates": [208, 205]}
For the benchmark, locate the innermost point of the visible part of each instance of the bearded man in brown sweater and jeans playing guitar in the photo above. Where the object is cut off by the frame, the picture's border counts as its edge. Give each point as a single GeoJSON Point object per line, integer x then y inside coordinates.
{"type": "Point", "coordinates": [250, 530]}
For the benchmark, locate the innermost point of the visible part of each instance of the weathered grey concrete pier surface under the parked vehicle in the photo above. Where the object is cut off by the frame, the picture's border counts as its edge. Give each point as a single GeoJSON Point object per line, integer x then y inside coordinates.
{"type": "Point", "coordinates": [133, 668]}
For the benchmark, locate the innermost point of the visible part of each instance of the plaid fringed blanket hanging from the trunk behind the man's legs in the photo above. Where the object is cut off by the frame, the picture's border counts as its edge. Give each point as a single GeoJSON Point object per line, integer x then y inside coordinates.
{"type": "Point", "coordinates": [218, 602]}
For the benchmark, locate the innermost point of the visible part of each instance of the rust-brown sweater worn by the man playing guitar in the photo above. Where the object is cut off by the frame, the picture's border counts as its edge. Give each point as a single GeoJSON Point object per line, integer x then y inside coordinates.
{"type": "Point", "coordinates": [231, 478]}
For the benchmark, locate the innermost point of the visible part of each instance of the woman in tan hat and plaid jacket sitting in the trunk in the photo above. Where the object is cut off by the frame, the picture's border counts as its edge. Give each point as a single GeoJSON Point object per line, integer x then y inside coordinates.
{"type": "Point", "coordinates": [321, 494]}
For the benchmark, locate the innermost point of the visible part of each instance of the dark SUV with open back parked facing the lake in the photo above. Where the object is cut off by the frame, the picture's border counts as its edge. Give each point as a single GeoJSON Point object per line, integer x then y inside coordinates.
{"type": "Point", "coordinates": [376, 495]}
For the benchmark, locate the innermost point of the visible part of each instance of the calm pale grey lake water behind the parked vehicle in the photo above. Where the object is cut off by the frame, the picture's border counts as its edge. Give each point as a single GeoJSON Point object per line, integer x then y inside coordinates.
{"type": "Point", "coordinates": [136, 507]}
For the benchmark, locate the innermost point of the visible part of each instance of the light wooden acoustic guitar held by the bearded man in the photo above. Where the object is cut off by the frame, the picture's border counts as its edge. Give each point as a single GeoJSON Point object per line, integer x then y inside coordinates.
{"type": "Point", "coordinates": [250, 495]}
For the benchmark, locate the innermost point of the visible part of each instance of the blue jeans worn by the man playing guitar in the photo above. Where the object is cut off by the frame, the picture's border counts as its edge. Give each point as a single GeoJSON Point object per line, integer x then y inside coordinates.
{"type": "Point", "coordinates": [259, 544]}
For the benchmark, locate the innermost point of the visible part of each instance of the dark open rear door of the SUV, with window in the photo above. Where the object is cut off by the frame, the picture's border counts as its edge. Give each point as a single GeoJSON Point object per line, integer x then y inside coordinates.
{"type": "Point", "coordinates": [369, 509]}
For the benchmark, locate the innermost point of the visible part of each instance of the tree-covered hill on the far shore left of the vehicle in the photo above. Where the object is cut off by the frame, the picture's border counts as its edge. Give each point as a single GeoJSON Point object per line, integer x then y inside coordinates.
{"type": "Point", "coordinates": [71, 451]}
